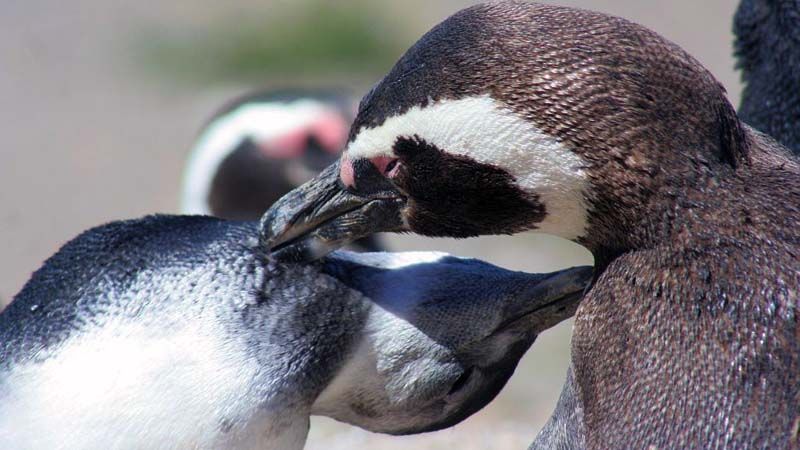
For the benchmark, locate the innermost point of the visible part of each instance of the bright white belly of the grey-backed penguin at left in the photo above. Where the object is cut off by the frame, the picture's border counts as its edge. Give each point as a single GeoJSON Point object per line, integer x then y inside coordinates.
{"type": "Point", "coordinates": [136, 386]}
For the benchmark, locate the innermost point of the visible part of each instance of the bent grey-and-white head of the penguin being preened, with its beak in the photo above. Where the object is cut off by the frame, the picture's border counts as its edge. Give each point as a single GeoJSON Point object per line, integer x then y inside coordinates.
{"type": "Point", "coordinates": [442, 336]}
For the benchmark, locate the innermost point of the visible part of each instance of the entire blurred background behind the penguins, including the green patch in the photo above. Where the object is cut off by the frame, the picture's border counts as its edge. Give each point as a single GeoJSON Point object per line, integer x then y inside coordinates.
{"type": "Point", "coordinates": [100, 101]}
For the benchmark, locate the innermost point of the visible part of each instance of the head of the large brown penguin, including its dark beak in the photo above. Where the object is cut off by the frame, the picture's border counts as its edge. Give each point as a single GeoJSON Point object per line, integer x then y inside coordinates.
{"type": "Point", "coordinates": [515, 116]}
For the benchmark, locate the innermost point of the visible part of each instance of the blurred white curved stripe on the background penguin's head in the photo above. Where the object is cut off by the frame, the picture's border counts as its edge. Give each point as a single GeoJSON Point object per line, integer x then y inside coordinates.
{"type": "Point", "coordinates": [258, 121]}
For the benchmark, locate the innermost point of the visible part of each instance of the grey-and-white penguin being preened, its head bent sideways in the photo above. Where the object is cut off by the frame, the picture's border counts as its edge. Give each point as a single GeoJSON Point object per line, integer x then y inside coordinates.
{"type": "Point", "coordinates": [182, 332]}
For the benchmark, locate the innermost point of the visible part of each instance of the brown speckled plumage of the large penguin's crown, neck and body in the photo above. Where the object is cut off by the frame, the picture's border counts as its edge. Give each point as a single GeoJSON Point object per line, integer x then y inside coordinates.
{"type": "Point", "coordinates": [689, 337]}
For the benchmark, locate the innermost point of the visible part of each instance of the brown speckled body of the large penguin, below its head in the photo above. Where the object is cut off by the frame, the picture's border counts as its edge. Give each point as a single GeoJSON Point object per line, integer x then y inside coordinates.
{"type": "Point", "coordinates": [694, 343]}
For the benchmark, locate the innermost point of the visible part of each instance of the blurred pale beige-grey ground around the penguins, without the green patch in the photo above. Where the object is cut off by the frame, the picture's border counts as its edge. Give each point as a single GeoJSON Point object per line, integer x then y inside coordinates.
{"type": "Point", "coordinates": [87, 138]}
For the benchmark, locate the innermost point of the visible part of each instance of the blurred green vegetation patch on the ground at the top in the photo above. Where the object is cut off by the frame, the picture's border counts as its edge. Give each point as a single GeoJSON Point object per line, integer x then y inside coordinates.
{"type": "Point", "coordinates": [316, 38]}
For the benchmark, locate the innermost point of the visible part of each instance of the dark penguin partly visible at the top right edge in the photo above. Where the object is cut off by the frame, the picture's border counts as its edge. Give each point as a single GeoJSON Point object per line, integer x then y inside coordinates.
{"type": "Point", "coordinates": [767, 36]}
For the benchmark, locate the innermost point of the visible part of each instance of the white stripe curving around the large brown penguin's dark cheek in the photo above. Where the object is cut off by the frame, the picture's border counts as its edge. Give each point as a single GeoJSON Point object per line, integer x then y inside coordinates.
{"type": "Point", "coordinates": [486, 131]}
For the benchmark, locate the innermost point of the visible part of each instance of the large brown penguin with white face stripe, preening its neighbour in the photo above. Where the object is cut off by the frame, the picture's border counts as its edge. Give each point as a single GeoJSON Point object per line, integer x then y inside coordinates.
{"type": "Point", "coordinates": [512, 116]}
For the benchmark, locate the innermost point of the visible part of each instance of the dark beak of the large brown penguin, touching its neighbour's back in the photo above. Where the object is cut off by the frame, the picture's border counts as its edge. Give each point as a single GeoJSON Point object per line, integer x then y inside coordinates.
{"type": "Point", "coordinates": [323, 215]}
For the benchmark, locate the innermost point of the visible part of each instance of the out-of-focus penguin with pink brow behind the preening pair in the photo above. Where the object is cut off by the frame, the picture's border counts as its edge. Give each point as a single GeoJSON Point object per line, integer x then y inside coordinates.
{"type": "Point", "coordinates": [262, 145]}
